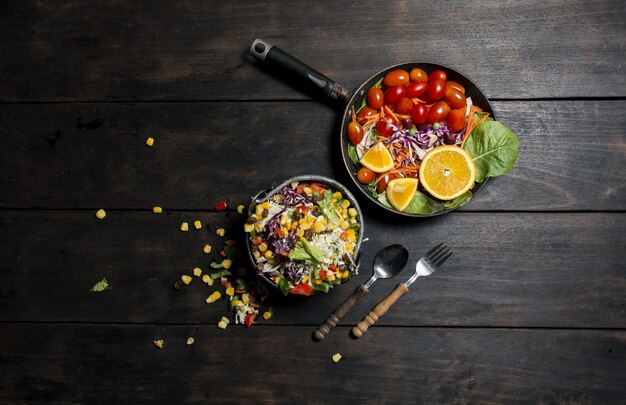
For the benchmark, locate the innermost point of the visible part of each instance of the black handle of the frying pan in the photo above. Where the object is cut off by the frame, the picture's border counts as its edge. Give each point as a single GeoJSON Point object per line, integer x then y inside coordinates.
{"type": "Point", "coordinates": [273, 55]}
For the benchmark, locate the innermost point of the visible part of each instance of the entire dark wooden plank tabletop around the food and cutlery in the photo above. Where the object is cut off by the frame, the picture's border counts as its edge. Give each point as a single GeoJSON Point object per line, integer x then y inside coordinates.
{"type": "Point", "coordinates": [530, 308]}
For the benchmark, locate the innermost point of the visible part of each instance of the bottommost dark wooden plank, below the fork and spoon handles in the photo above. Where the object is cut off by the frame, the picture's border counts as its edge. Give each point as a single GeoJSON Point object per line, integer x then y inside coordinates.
{"type": "Point", "coordinates": [118, 363]}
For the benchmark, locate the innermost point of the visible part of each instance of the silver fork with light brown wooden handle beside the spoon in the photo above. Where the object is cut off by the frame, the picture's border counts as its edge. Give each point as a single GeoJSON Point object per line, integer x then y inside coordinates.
{"type": "Point", "coordinates": [424, 267]}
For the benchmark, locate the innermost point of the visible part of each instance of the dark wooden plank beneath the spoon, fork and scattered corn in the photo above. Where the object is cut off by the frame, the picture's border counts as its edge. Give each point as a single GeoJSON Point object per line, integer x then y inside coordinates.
{"type": "Point", "coordinates": [517, 269]}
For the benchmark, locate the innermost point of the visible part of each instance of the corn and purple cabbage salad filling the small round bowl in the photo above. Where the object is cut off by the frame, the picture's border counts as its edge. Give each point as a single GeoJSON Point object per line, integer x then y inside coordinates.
{"type": "Point", "coordinates": [304, 237]}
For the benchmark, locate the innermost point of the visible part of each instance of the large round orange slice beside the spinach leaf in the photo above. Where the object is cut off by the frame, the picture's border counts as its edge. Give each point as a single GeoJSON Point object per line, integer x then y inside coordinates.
{"type": "Point", "coordinates": [447, 172]}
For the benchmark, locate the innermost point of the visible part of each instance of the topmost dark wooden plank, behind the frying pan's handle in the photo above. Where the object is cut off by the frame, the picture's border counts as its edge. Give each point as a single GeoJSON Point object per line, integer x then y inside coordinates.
{"type": "Point", "coordinates": [59, 51]}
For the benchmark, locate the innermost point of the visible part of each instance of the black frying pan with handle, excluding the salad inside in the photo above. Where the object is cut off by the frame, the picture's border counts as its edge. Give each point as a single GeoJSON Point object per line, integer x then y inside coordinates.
{"type": "Point", "coordinates": [273, 56]}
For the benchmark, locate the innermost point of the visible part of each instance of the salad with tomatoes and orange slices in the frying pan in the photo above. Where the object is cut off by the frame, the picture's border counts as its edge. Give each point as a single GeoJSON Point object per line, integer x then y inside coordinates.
{"type": "Point", "coordinates": [420, 145]}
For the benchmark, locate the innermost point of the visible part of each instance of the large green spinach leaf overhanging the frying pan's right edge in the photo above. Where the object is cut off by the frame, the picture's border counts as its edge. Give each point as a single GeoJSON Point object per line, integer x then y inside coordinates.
{"type": "Point", "coordinates": [493, 148]}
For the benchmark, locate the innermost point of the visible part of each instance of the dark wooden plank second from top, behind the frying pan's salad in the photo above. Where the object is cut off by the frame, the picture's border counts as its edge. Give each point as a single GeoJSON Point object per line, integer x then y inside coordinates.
{"type": "Point", "coordinates": [92, 155]}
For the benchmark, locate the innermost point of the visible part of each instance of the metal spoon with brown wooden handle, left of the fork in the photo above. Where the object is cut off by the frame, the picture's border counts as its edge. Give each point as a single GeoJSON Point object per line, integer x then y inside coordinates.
{"type": "Point", "coordinates": [388, 262]}
